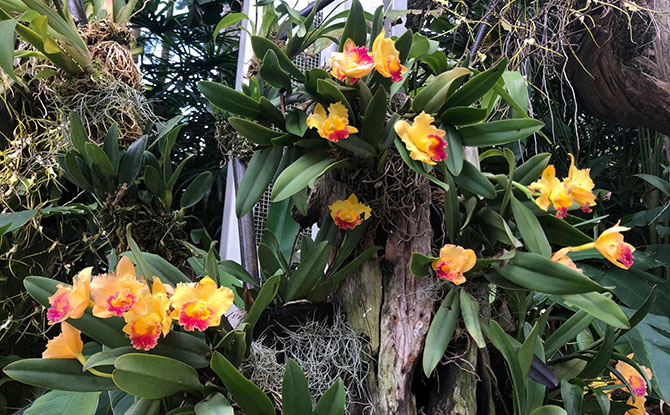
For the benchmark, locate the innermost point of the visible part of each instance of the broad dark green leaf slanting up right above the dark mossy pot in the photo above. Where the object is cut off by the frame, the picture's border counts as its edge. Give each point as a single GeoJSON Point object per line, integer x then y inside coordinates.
{"type": "Point", "coordinates": [308, 273]}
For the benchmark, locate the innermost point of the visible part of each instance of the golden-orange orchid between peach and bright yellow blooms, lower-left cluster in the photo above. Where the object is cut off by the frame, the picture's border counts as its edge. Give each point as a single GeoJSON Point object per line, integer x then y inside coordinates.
{"type": "Point", "coordinates": [145, 328]}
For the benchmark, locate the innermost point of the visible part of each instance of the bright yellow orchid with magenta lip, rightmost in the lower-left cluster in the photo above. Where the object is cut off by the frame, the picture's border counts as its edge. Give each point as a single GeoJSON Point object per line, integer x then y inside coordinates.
{"type": "Point", "coordinates": [200, 305]}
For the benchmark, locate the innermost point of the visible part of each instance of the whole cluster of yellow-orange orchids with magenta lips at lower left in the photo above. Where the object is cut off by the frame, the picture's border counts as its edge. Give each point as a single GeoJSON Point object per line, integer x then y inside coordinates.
{"type": "Point", "coordinates": [147, 309]}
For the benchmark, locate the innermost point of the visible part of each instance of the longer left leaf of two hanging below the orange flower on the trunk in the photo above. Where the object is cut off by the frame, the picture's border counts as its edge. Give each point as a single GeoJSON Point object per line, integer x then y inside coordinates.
{"type": "Point", "coordinates": [441, 331]}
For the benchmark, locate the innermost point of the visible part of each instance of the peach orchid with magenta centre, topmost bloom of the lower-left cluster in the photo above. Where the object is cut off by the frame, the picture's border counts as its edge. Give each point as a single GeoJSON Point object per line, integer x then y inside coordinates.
{"type": "Point", "coordinates": [116, 293]}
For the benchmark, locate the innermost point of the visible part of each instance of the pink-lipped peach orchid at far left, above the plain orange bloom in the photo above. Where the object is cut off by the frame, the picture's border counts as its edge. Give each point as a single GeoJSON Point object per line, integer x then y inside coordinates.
{"type": "Point", "coordinates": [70, 301]}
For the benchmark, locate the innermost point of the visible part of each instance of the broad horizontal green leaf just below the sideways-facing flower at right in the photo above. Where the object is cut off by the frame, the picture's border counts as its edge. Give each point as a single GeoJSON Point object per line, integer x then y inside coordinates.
{"type": "Point", "coordinates": [541, 274]}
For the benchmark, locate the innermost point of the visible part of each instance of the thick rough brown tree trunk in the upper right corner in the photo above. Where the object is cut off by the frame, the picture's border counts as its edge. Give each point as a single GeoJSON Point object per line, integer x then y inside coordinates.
{"type": "Point", "coordinates": [615, 88]}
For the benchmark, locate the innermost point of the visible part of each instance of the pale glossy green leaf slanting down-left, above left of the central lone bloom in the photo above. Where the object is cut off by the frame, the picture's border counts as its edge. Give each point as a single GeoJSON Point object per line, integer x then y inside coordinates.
{"type": "Point", "coordinates": [300, 173]}
